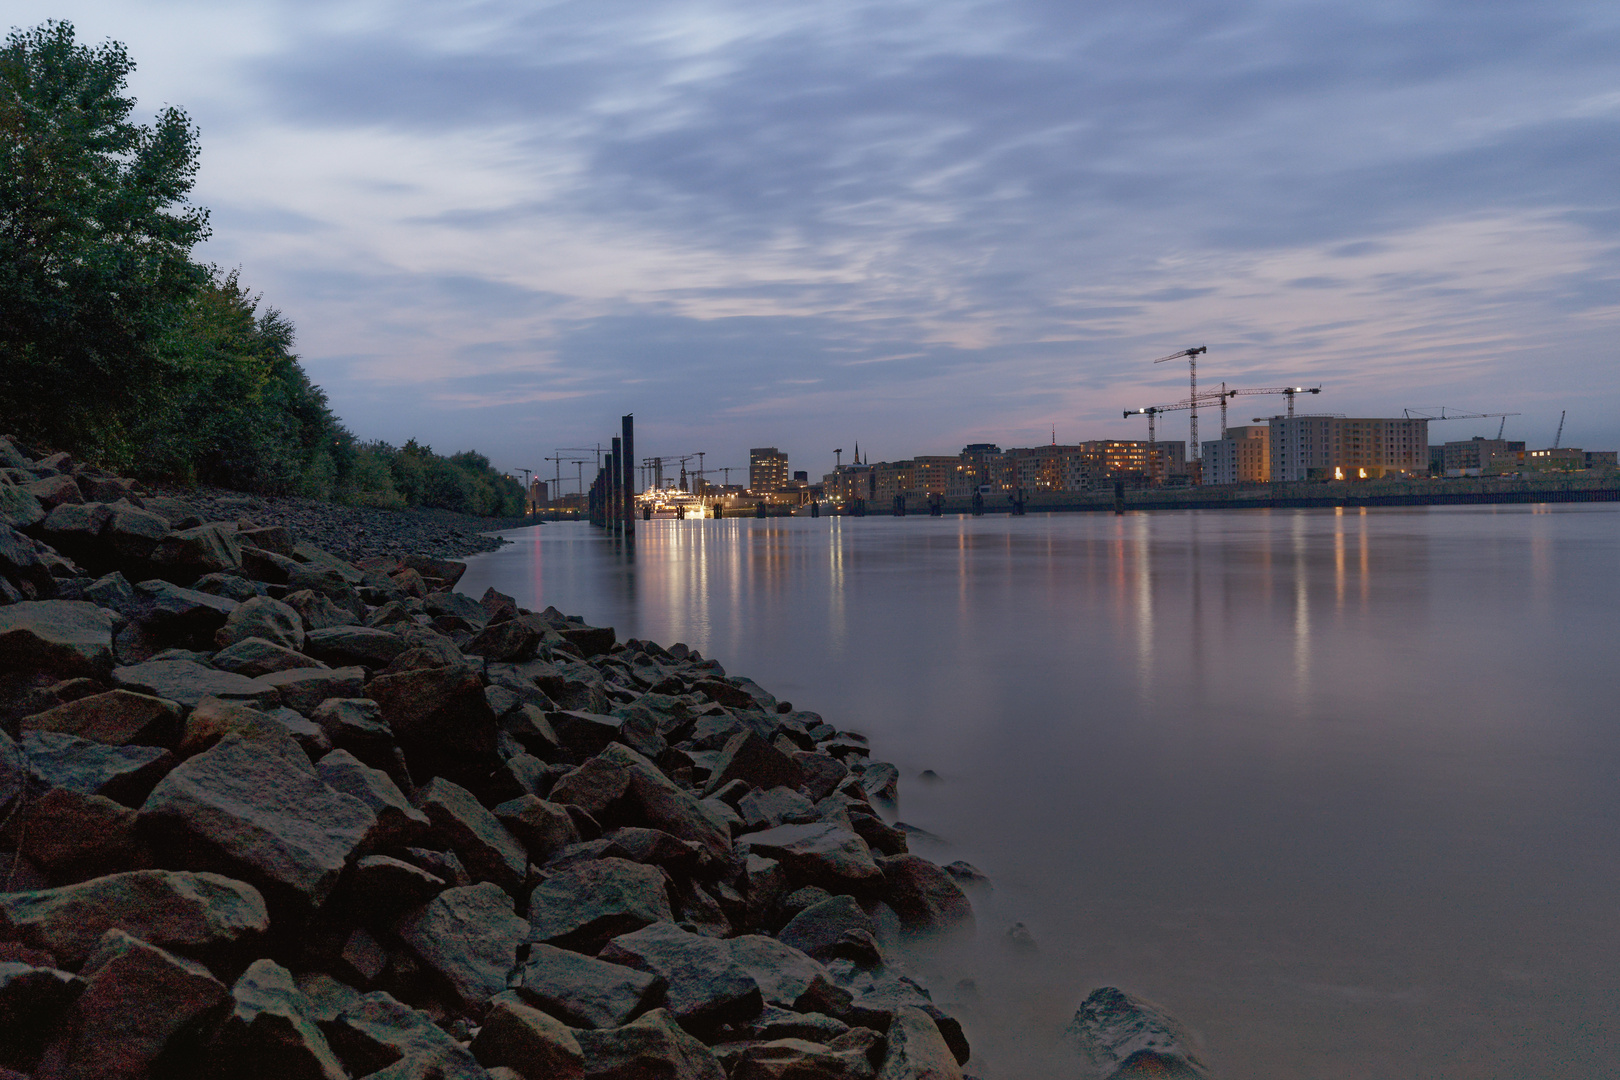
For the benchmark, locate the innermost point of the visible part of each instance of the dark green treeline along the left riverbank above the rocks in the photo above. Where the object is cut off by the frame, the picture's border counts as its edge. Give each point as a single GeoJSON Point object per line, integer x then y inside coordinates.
{"type": "Point", "coordinates": [122, 349]}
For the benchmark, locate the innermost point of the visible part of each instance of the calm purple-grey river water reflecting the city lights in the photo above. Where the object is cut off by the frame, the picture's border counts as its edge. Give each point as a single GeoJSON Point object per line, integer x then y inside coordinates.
{"type": "Point", "coordinates": [1337, 788]}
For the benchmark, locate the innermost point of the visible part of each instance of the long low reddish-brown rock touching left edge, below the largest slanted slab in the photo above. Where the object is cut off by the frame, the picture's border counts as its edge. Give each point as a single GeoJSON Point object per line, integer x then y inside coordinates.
{"type": "Point", "coordinates": [173, 909]}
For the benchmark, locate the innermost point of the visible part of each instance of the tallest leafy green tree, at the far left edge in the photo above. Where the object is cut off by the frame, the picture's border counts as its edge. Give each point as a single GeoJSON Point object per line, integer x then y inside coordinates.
{"type": "Point", "coordinates": [96, 242]}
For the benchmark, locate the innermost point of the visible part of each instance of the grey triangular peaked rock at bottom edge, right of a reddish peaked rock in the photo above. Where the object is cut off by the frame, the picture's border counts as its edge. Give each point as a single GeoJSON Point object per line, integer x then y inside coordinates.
{"type": "Point", "coordinates": [270, 1034]}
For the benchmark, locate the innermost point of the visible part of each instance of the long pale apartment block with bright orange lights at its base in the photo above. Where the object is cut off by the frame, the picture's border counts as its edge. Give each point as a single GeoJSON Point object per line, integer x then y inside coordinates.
{"type": "Point", "coordinates": [1349, 448]}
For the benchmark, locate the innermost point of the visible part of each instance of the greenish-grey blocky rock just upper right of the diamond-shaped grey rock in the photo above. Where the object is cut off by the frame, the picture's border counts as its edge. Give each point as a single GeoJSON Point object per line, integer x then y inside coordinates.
{"type": "Point", "coordinates": [589, 904]}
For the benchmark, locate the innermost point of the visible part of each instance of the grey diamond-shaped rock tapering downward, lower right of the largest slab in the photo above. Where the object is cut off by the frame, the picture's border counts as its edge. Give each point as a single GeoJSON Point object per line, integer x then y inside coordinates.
{"type": "Point", "coordinates": [471, 938]}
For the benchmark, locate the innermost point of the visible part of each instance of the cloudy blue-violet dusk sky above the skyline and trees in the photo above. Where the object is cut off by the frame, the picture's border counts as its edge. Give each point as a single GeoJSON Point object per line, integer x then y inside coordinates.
{"type": "Point", "coordinates": [911, 226]}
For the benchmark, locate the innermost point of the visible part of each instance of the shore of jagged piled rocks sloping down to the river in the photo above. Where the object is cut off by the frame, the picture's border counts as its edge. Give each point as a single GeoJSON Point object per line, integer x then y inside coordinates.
{"type": "Point", "coordinates": [281, 809]}
